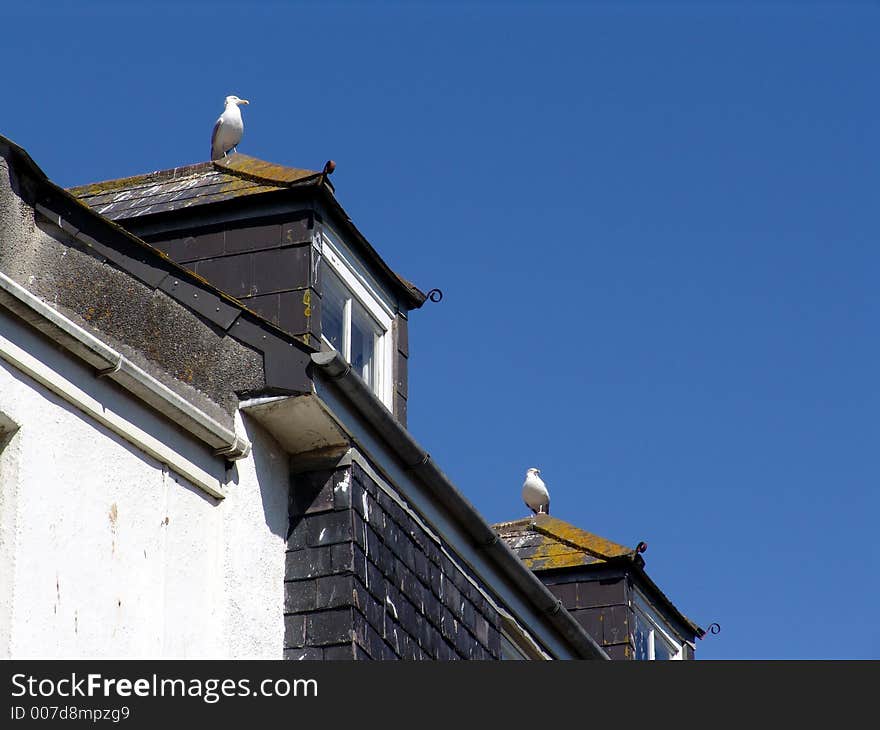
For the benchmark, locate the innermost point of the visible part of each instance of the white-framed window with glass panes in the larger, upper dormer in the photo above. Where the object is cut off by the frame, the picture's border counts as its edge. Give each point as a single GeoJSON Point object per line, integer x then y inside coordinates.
{"type": "Point", "coordinates": [355, 318]}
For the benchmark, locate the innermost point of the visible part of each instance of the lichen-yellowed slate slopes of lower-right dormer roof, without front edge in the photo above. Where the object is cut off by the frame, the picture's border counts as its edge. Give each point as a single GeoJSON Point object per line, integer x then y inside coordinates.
{"type": "Point", "coordinates": [543, 542]}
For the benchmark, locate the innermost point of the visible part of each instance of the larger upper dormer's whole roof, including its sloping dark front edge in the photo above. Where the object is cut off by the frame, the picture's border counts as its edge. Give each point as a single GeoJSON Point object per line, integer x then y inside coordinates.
{"type": "Point", "coordinates": [236, 177]}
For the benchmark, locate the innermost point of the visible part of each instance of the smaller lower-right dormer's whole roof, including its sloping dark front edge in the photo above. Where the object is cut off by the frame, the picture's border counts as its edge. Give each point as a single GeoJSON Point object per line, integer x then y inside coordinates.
{"type": "Point", "coordinates": [544, 543]}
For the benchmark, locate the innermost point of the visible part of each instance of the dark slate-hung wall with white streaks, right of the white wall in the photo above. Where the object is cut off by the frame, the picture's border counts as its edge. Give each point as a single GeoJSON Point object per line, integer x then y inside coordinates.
{"type": "Point", "coordinates": [365, 581]}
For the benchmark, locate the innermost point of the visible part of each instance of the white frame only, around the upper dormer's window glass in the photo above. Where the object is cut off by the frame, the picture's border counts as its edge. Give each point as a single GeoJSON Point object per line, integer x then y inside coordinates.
{"type": "Point", "coordinates": [368, 293]}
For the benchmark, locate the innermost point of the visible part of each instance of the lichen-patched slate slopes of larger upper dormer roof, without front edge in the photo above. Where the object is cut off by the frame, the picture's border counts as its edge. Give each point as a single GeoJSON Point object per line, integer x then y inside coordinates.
{"type": "Point", "coordinates": [165, 191]}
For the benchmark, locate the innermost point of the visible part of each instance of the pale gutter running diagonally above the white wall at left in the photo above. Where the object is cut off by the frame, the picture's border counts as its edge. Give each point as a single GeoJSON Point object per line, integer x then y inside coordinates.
{"type": "Point", "coordinates": [114, 365]}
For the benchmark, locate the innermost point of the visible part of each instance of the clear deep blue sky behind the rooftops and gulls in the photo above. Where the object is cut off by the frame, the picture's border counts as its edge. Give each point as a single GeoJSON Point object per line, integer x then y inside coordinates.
{"type": "Point", "coordinates": [655, 226]}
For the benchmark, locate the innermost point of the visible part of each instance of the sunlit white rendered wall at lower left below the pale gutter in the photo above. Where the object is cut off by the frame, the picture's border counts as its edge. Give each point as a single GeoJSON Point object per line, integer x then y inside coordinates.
{"type": "Point", "coordinates": [104, 552]}
